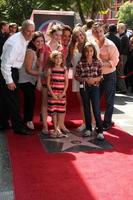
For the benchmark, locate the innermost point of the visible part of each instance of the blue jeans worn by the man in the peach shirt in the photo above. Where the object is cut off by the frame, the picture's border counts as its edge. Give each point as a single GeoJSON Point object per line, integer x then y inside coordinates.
{"type": "Point", "coordinates": [108, 87]}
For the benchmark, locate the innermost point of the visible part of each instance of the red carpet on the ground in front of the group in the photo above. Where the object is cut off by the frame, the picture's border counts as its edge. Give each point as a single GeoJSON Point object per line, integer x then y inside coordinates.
{"type": "Point", "coordinates": [95, 175]}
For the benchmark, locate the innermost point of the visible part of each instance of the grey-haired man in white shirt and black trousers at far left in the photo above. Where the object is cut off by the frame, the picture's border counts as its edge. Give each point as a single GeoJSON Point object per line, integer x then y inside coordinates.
{"type": "Point", "coordinates": [11, 61]}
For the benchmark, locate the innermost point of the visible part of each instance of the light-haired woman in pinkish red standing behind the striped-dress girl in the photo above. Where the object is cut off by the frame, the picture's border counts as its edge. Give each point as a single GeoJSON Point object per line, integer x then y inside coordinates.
{"type": "Point", "coordinates": [55, 33]}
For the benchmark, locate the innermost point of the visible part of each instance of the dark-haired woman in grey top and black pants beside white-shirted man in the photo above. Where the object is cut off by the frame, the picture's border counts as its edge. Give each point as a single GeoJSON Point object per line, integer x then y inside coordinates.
{"type": "Point", "coordinates": [28, 76]}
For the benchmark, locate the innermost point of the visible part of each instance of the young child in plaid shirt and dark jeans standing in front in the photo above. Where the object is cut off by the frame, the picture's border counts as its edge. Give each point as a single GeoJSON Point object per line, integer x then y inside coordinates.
{"type": "Point", "coordinates": [89, 74]}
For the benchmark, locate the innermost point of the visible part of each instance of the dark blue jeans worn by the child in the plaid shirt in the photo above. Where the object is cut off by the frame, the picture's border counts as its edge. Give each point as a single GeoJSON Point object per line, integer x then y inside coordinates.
{"type": "Point", "coordinates": [91, 94]}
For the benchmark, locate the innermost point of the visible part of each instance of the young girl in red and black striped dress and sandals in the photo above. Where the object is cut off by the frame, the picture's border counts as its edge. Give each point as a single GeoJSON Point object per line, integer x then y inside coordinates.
{"type": "Point", "coordinates": [57, 82]}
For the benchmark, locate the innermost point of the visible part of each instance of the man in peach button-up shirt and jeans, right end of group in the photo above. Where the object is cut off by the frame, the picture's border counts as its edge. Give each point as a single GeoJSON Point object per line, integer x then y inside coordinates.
{"type": "Point", "coordinates": [109, 55]}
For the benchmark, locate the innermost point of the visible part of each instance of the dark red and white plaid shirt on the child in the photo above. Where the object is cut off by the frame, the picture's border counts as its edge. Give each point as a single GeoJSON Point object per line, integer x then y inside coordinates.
{"type": "Point", "coordinates": [85, 70]}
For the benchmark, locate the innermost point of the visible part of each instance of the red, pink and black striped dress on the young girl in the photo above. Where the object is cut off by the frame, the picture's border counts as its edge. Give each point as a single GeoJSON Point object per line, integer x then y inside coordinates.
{"type": "Point", "coordinates": [57, 82]}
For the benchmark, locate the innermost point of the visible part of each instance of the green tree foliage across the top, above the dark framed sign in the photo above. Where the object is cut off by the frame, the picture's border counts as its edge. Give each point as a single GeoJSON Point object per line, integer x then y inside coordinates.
{"type": "Point", "coordinates": [19, 10]}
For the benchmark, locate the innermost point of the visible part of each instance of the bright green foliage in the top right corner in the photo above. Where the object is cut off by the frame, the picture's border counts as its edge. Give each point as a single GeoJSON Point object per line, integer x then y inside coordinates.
{"type": "Point", "coordinates": [125, 14]}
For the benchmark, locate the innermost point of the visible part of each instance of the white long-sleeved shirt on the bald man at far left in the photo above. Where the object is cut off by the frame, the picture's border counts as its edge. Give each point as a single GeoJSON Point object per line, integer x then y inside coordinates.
{"type": "Point", "coordinates": [13, 55]}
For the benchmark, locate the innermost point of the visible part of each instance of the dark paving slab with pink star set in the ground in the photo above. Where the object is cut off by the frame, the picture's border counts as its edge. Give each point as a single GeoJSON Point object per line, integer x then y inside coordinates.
{"type": "Point", "coordinates": [74, 143]}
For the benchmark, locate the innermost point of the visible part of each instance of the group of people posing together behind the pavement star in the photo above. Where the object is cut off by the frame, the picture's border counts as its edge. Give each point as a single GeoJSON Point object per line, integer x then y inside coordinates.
{"type": "Point", "coordinates": [28, 62]}
